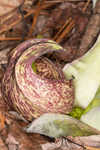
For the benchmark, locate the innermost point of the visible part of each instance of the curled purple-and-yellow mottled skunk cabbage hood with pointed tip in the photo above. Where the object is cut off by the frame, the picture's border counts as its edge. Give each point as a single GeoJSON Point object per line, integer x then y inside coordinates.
{"type": "Point", "coordinates": [30, 93]}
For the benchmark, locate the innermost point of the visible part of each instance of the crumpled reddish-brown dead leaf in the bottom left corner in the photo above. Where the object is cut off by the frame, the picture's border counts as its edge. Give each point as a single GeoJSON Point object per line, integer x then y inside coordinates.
{"type": "Point", "coordinates": [12, 136]}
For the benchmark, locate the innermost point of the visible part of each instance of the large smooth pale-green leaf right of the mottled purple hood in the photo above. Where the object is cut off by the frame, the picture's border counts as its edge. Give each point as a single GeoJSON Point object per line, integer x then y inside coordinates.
{"type": "Point", "coordinates": [86, 74]}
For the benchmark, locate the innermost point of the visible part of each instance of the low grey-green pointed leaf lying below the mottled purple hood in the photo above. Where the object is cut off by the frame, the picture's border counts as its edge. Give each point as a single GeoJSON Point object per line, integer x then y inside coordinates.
{"type": "Point", "coordinates": [58, 125]}
